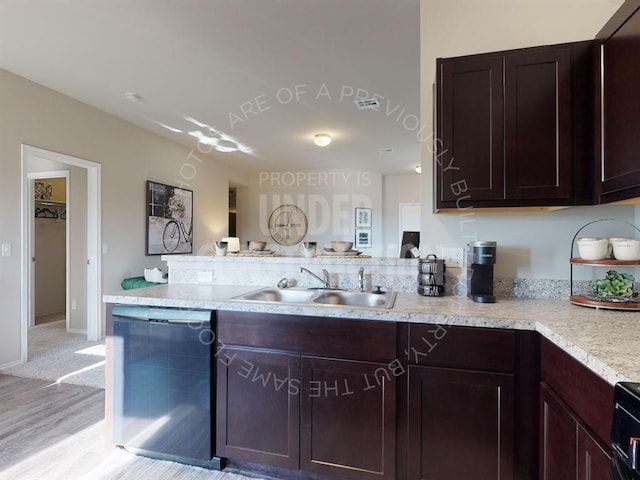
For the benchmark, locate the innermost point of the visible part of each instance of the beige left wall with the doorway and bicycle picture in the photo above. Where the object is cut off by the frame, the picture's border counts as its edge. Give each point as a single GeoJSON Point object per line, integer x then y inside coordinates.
{"type": "Point", "coordinates": [37, 116]}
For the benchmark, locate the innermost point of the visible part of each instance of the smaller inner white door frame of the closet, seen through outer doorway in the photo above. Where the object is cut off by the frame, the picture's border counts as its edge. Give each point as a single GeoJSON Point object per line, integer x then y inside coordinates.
{"type": "Point", "coordinates": [32, 176]}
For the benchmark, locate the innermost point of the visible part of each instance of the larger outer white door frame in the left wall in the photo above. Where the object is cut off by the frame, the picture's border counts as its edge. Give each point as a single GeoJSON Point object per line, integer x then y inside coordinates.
{"type": "Point", "coordinates": [94, 236]}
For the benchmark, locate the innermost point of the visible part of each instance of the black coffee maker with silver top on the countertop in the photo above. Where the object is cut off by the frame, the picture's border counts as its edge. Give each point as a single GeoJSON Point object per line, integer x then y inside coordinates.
{"type": "Point", "coordinates": [481, 257]}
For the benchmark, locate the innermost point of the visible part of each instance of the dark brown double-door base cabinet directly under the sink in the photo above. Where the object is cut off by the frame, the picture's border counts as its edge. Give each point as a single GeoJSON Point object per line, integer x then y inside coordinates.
{"type": "Point", "coordinates": [307, 397]}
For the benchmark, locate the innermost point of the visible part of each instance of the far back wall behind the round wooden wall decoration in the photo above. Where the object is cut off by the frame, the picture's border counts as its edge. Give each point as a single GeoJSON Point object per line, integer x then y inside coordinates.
{"type": "Point", "coordinates": [328, 198]}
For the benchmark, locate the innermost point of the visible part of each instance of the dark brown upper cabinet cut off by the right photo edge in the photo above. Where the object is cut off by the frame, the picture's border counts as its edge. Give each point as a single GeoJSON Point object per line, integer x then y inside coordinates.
{"type": "Point", "coordinates": [618, 104]}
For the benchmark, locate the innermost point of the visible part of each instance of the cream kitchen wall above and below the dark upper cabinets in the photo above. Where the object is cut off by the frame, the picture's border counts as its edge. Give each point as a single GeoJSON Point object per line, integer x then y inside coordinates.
{"type": "Point", "coordinates": [535, 245]}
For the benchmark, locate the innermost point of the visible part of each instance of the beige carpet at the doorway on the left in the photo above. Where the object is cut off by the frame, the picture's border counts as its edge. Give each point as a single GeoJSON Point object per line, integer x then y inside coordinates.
{"type": "Point", "coordinates": [61, 357]}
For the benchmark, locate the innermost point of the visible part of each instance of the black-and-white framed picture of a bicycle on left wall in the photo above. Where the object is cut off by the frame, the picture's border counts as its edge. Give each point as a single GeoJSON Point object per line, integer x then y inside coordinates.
{"type": "Point", "coordinates": [169, 219]}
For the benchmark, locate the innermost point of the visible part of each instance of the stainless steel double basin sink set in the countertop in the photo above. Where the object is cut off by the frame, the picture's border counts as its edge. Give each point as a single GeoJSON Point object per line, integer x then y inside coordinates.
{"type": "Point", "coordinates": [321, 297]}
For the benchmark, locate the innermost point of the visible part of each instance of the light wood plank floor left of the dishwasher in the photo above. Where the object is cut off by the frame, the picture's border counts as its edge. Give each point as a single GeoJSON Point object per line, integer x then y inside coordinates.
{"type": "Point", "coordinates": [56, 432]}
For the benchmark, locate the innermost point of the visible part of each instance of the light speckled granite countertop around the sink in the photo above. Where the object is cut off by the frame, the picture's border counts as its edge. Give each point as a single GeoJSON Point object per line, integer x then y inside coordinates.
{"type": "Point", "coordinates": [606, 341]}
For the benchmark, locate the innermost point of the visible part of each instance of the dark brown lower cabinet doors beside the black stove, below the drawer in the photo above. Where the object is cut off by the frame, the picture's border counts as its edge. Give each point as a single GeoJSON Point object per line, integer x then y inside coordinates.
{"type": "Point", "coordinates": [568, 450]}
